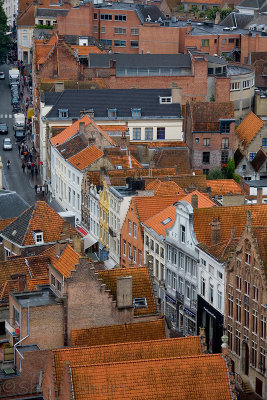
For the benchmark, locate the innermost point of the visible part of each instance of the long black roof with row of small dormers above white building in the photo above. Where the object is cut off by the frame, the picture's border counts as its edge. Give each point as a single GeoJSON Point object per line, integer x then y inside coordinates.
{"type": "Point", "coordinates": [121, 99]}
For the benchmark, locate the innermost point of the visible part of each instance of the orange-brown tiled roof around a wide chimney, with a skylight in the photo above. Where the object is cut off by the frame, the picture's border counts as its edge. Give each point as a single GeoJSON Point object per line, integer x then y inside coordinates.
{"type": "Point", "coordinates": [141, 285]}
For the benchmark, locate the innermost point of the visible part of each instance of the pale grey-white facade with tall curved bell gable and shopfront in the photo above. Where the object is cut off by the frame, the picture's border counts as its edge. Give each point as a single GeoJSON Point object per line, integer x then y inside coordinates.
{"type": "Point", "coordinates": [181, 276]}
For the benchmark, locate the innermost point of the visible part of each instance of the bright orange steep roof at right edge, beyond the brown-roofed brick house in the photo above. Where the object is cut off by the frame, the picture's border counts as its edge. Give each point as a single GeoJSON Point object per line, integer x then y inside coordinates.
{"type": "Point", "coordinates": [249, 128]}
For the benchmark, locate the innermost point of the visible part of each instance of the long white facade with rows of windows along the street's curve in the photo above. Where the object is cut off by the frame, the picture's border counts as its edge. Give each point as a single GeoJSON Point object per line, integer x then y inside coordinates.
{"type": "Point", "coordinates": [66, 183]}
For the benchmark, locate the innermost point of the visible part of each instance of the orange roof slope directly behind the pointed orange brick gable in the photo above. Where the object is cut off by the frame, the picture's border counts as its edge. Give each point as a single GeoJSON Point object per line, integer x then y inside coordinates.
{"type": "Point", "coordinates": [148, 206]}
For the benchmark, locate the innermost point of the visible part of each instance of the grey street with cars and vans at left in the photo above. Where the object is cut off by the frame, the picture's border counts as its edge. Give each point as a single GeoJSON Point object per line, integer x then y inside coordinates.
{"type": "Point", "coordinates": [13, 178]}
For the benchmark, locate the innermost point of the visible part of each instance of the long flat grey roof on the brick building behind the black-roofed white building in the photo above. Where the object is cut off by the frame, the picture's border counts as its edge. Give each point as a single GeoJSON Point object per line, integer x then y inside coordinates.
{"type": "Point", "coordinates": [140, 60]}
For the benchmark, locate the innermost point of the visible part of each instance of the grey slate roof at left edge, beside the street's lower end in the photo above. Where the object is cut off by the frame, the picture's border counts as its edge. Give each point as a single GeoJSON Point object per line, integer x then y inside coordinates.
{"type": "Point", "coordinates": [11, 204]}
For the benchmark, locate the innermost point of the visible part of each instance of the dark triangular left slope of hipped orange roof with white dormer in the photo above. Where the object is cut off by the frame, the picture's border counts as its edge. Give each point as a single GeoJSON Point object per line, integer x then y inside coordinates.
{"type": "Point", "coordinates": [16, 231]}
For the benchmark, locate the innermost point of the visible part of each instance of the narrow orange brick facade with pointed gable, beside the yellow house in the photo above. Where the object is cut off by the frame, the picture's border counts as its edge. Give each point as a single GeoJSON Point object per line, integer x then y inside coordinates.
{"type": "Point", "coordinates": [138, 242]}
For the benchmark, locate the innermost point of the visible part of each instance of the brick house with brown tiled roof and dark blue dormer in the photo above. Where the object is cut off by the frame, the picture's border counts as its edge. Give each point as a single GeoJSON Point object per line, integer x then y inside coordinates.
{"type": "Point", "coordinates": [209, 134]}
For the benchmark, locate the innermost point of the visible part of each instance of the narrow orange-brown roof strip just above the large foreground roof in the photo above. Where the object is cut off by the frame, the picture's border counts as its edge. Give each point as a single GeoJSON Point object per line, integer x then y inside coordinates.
{"type": "Point", "coordinates": [134, 332]}
